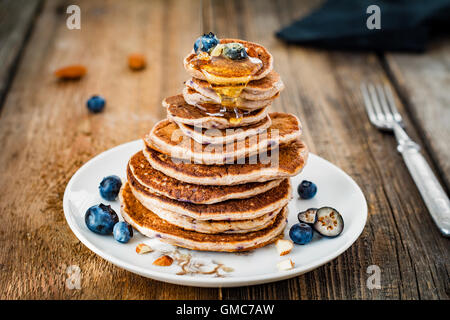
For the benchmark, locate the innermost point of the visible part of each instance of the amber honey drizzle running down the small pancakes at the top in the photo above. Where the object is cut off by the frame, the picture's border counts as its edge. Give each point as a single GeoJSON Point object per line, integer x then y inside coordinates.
{"type": "Point", "coordinates": [228, 93]}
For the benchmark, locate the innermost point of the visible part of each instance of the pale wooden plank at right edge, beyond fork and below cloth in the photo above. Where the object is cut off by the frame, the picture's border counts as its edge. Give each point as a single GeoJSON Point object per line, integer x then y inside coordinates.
{"type": "Point", "coordinates": [423, 81]}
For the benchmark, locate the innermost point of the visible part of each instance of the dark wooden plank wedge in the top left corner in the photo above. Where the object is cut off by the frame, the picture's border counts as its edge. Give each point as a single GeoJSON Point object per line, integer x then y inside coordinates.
{"type": "Point", "coordinates": [17, 17]}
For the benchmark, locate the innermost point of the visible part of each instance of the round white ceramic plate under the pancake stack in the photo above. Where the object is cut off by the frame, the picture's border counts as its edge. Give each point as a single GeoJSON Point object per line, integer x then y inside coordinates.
{"type": "Point", "coordinates": [335, 189]}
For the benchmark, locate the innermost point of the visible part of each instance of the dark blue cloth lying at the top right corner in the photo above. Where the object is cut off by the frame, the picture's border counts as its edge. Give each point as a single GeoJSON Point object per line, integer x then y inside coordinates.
{"type": "Point", "coordinates": [406, 25]}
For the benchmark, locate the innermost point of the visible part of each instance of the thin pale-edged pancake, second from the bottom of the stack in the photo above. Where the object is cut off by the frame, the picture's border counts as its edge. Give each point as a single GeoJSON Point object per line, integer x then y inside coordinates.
{"type": "Point", "coordinates": [223, 226]}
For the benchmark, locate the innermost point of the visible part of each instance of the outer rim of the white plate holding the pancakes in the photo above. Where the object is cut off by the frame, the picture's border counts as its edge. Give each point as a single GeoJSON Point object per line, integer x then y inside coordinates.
{"type": "Point", "coordinates": [197, 281]}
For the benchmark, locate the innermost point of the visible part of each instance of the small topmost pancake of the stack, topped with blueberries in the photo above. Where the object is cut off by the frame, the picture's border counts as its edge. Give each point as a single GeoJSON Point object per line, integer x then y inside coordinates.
{"type": "Point", "coordinates": [228, 74]}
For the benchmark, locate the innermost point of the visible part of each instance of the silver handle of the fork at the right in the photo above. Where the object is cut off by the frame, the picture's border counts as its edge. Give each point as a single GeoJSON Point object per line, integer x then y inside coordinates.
{"type": "Point", "coordinates": [432, 192]}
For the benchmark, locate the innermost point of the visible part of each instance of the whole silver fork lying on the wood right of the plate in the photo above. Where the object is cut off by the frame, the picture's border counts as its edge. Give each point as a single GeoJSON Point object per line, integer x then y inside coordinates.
{"type": "Point", "coordinates": [383, 114]}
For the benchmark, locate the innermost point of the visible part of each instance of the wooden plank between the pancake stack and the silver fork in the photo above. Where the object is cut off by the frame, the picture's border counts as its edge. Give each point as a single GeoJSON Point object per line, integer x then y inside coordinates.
{"type": "Point", "coordinates": [323, 89]}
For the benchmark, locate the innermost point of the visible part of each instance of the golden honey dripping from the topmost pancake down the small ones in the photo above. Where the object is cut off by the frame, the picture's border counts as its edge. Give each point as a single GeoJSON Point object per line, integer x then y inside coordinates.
{"type": "Point", "coordinates": [219, 66]}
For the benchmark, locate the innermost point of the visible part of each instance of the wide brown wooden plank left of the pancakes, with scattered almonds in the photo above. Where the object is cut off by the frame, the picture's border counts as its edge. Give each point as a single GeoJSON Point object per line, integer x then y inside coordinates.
{"type": "Point", "coordinates": [46, 134]}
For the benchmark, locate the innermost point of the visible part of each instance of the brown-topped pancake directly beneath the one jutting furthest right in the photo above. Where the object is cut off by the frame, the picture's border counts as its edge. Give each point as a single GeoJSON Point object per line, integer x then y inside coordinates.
{"type": "Point", "coordinates": [139, 169]}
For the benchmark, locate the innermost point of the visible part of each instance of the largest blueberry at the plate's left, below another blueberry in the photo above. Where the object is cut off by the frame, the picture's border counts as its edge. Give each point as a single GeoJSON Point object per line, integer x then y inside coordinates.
{"type": "Point", "coordinates": [101, 219]}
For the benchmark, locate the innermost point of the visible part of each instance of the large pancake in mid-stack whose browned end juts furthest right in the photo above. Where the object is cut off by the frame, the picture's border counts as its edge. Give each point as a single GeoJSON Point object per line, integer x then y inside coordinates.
{"type": "Point", "coordinates": [291, 160]}
